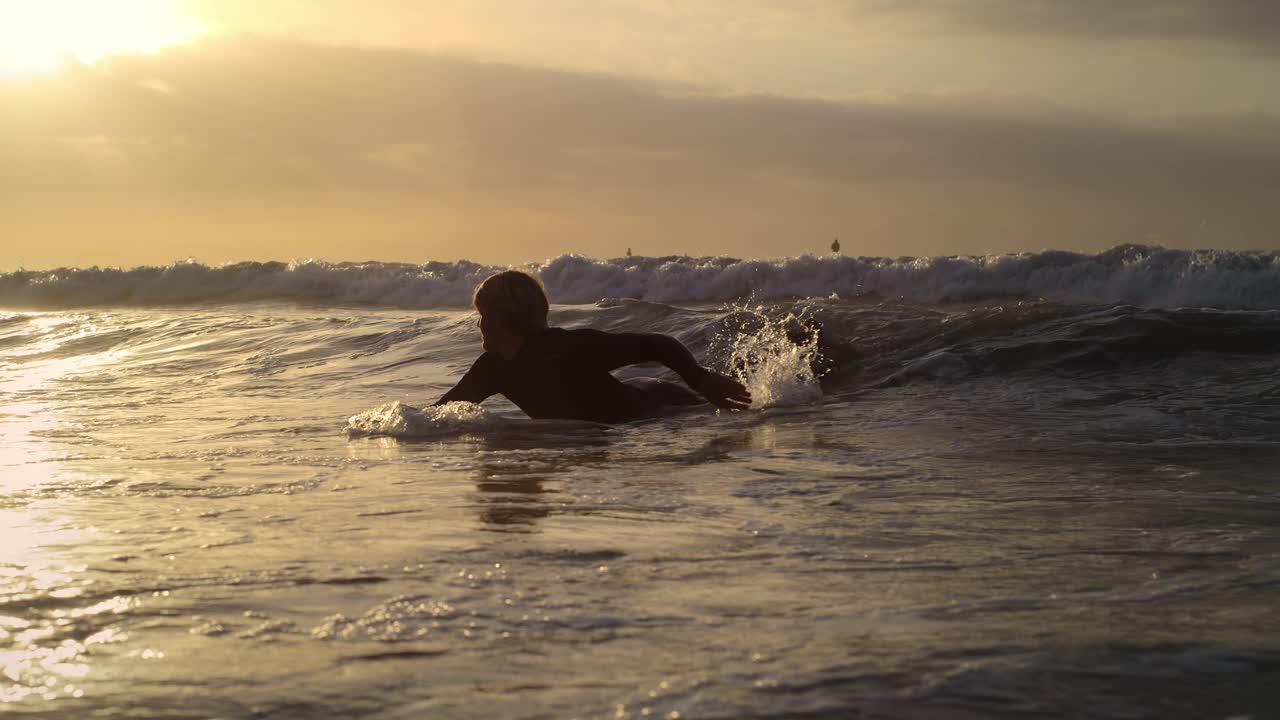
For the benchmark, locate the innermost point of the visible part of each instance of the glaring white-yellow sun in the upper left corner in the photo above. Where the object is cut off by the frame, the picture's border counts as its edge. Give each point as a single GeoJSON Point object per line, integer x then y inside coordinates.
{"type": "Point", "coordinates": [39, 37]}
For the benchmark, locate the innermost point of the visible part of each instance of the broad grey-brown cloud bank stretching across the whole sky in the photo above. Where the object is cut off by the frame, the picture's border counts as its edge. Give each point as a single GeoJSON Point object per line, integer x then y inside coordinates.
{"type": "Point", "coordinates": [257, 115]}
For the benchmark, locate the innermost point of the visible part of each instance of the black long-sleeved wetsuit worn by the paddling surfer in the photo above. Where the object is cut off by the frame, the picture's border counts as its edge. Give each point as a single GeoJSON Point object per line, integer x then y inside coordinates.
{"type": "Point", "coordinates": [564, 373]}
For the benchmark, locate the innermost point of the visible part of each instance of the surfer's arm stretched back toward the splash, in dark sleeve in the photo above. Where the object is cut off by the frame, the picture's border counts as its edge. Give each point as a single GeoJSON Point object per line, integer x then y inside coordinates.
{"type": "Point", "coordinates": [616, 350]}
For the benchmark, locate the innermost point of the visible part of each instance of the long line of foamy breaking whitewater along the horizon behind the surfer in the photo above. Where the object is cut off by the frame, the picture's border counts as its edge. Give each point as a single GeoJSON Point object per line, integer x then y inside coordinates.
{"type": "Point", "coordinates": [1132, 275]}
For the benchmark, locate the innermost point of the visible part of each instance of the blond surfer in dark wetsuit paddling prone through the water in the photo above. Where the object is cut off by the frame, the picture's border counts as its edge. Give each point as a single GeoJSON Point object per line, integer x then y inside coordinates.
{"type": "Point", "coordinates": [560, 373]}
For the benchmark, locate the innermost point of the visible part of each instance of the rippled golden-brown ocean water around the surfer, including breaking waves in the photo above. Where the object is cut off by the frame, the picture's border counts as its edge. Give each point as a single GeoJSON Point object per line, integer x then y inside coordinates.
{"type": "Point", "coordinates": [1016, 486]}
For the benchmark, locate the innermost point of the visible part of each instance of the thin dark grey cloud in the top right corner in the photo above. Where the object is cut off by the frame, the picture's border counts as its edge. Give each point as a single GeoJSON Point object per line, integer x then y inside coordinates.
{"type": "Point", "coordinates": [1252, 25]}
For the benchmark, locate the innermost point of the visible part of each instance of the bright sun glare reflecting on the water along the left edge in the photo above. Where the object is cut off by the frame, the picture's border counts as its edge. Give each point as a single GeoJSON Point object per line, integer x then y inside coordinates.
{"type": "Point", "coordinates": [42, 653]}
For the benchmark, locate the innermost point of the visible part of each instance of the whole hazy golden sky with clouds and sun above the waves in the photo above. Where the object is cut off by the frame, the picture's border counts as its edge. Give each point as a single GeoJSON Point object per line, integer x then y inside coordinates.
{"type": "Point", "coordinates": [511, 131]}
